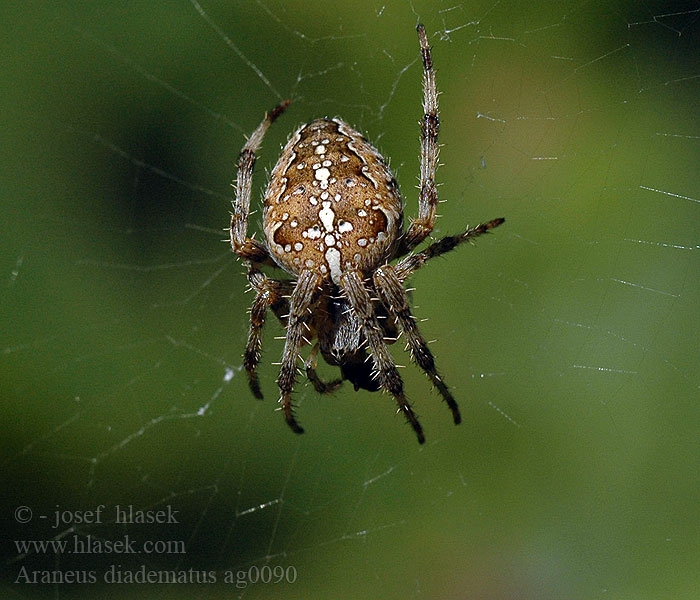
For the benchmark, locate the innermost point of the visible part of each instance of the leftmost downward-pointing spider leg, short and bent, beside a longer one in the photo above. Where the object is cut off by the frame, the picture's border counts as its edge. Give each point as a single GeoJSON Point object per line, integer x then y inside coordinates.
{"type": "Point", "coordinates": [269, 293]}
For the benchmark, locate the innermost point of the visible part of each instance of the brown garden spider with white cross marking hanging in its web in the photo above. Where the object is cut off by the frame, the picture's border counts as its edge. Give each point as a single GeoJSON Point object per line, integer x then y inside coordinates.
{"type": "Point", "coordinates": [333, 218]}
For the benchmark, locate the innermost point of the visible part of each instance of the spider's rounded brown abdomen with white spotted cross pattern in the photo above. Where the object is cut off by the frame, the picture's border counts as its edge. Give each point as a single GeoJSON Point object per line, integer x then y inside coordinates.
{"type": "Point", "coordinates": [332, 203]}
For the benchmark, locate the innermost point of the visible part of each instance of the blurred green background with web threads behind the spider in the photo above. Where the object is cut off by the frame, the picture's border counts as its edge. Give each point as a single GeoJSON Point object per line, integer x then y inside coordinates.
{"type": "Point", "coordinates": [570, 336]}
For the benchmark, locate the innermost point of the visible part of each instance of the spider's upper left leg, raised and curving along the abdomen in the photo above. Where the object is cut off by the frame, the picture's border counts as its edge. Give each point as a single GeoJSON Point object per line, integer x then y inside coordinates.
{"type": "Point", "coordinates": [245, 247]}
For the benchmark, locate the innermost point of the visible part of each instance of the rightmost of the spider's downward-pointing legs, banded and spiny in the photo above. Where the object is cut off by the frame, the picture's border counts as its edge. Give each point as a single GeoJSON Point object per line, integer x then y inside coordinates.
{"type": "Point", "coordinates": [394, 298]}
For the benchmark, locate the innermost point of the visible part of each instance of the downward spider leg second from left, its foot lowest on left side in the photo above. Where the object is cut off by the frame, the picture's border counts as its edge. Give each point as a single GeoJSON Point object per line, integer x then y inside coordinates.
{"type": "Point", "coordinates": [303, 297]}
